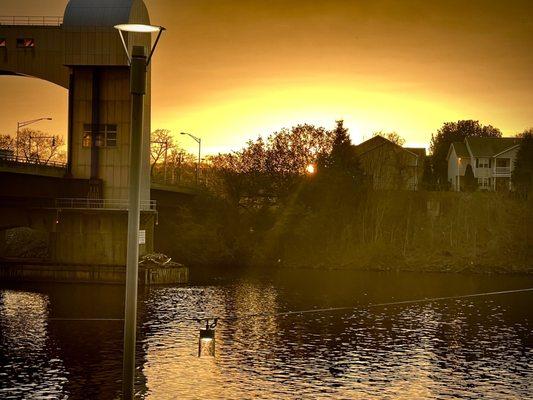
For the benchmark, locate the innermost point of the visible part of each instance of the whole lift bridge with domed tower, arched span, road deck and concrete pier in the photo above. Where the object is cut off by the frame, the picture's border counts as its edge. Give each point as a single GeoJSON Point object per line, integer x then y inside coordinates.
{"type": "Point", "coordinates": [82, 204]}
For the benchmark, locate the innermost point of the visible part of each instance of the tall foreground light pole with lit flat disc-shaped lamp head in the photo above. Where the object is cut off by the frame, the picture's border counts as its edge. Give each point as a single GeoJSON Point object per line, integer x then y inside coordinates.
{"type": "Point", "coordinates": [138, 63]}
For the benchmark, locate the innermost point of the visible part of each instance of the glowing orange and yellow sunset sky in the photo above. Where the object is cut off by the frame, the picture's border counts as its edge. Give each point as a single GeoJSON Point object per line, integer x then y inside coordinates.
{"type": "Point", "coordinates": [230, 70]}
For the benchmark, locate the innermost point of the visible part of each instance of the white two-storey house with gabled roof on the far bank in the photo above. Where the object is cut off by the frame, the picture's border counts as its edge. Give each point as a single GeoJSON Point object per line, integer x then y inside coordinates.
{"type": "Point", "coordinates": [490, 159]}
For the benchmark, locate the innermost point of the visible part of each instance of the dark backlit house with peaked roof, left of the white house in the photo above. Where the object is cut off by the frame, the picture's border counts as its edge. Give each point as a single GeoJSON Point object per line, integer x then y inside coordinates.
{"type": "Point", "coordinates": [389, 165]}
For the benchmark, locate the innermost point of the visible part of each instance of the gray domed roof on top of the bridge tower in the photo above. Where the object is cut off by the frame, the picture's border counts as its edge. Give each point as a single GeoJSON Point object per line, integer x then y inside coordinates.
{"type": "Point", "coordinates": [104, 13]}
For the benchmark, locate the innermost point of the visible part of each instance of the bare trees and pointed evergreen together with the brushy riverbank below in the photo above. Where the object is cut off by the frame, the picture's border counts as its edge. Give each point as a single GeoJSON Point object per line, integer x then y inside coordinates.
{"type": "Point", "coordinates": [263, 207]}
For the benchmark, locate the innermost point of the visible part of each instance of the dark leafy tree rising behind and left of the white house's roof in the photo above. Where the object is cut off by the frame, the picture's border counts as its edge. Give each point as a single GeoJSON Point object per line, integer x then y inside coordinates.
{"type": "Point", "coordinates": [454, 132]}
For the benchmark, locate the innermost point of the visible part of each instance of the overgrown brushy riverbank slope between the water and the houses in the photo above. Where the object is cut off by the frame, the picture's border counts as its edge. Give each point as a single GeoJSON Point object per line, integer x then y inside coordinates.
{"type": "Point", "coordinates": [411, 231]}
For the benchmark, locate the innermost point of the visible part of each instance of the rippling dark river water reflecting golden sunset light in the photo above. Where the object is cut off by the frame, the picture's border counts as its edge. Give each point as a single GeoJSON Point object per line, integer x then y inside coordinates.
{"type": "Point", "coordinates": [62, 341]}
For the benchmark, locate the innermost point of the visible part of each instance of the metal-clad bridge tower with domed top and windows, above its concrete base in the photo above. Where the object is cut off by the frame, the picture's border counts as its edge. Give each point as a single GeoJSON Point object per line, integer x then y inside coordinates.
{"type": "Point", "coordinates": [83, 53]}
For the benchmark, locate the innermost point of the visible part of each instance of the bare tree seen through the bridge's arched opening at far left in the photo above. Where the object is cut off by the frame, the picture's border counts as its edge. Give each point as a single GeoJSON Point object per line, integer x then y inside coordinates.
{"type": "Point", "coordinates": [40, 147]}
